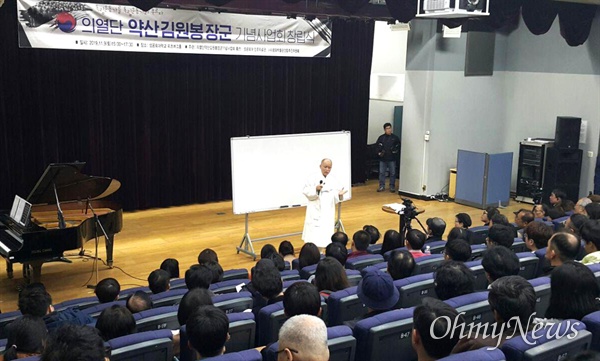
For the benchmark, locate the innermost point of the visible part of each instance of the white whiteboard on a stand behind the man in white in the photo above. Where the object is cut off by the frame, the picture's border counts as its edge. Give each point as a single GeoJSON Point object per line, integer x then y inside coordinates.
{"type": "Point", "coordinates": [269, 172]}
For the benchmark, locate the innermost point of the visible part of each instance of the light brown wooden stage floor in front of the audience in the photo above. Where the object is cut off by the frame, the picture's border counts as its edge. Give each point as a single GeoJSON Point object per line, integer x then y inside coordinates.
{"type": "Point", "coordinates": [148, 237]}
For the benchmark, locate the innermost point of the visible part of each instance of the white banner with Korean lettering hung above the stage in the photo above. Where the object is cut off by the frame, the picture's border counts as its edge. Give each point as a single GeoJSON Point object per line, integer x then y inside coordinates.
{"type": "Point", "coordinates": [86, 26]}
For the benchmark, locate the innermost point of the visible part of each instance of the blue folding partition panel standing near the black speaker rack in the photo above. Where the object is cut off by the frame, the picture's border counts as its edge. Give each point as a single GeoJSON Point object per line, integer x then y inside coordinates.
{"type": "Point", "coordinates": [483, 179]}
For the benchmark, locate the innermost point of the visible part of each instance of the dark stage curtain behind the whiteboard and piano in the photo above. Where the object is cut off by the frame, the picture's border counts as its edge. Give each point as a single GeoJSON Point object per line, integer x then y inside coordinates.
{"type": "Point", "coordinates": [162, 123]}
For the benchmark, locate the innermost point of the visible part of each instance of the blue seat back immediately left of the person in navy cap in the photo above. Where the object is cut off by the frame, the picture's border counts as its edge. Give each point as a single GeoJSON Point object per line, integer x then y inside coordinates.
{"type": "Point", "coordinates": [344, 305]}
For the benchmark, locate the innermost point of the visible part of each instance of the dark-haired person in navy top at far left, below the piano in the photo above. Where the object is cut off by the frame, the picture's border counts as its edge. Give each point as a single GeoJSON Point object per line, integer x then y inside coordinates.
{"type": "Point", "coordinates": [36, 301]}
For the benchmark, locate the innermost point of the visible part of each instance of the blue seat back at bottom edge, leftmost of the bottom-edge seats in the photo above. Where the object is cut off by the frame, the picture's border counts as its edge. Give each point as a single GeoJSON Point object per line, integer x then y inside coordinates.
{"type": "Point", "coordinates": [150, 345]}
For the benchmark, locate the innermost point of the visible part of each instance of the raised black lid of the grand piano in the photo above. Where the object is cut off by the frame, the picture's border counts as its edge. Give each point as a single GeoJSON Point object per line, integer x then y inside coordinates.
{"type": "Point", "coordinates": [71, 185]}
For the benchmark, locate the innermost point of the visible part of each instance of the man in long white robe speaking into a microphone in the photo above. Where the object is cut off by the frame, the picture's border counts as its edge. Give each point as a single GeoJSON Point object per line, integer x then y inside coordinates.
{"type": "Point", "coordinates": [323, 192]}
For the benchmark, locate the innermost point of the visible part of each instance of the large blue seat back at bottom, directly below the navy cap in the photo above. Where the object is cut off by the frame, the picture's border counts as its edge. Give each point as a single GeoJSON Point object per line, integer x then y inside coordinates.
{"type": "Point", "coordinates": [380, 335]}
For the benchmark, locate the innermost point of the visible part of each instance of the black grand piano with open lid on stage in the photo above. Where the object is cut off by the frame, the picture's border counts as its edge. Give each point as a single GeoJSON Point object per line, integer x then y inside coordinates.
{"type": "Point", "coordinates": [61, 219]}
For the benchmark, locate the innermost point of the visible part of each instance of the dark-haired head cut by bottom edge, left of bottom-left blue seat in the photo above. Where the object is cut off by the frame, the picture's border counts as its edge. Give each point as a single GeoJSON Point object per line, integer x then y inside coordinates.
{"type": "Point", "coordinates": [74, 343]}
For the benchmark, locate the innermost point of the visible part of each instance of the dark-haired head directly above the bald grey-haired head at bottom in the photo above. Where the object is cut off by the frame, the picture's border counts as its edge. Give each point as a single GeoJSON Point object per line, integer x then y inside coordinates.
{"type": "Point", "coordinates": [302, 298]}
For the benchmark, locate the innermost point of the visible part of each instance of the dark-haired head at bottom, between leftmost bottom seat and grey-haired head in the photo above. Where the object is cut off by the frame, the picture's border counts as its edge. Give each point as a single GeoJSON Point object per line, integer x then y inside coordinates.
{"type": "Point", "coordinates": [208, 330]}
